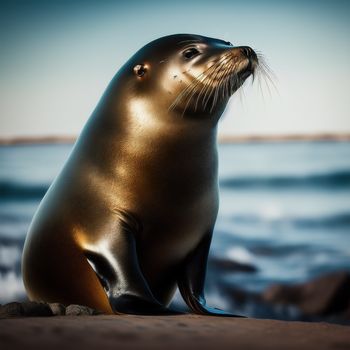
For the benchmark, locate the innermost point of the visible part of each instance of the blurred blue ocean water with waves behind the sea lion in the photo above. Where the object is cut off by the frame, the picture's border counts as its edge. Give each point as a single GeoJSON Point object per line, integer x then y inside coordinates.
{"type": "Point", "coordinates": [284, 209]}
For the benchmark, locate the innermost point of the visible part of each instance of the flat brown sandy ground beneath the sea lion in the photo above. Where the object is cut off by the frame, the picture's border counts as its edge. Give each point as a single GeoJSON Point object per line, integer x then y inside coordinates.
{"type": "Point", "coordinates": [168, 332]}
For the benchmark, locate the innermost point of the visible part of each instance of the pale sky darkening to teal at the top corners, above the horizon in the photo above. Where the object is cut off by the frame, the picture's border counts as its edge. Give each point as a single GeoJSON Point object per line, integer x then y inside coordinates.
{"type": "Point", "coordinates": [57, 57]}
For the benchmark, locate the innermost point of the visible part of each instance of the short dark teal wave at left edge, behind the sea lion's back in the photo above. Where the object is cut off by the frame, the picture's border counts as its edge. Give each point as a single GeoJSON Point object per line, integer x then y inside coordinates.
{"type": "Point", "coordinates": [17, 190]}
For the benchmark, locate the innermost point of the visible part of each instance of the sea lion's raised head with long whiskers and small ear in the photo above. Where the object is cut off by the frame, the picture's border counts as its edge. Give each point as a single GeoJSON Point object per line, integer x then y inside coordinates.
{"type": "Point", "coordinates": [187, 74]}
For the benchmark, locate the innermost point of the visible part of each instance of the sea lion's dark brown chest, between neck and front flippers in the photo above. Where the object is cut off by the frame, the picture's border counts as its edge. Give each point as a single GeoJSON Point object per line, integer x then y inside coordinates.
{"type": "Point", "coordinates": [174, 195]}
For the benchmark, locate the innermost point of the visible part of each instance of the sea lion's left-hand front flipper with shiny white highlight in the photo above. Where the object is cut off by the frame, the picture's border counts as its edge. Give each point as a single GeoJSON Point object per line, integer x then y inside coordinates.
{"type": "Point", "coordinates": [115, 262]}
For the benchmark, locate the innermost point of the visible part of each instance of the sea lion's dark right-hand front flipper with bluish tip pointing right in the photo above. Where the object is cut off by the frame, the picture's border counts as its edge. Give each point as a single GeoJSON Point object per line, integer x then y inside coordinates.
{"type": "Point", "coordinates": [192, 278]}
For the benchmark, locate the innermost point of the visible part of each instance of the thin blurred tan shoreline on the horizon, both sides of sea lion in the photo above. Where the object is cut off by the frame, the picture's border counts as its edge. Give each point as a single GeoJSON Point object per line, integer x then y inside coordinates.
{"type": "Point", "coordinates": [222, 139]}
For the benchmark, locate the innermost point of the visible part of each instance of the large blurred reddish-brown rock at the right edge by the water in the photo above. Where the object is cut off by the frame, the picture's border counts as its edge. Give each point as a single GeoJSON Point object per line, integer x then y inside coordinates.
{"type": "Point", "coordinates": [325, 295]}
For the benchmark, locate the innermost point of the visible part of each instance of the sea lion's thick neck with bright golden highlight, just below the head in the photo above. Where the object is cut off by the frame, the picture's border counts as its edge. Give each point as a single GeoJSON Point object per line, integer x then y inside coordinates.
{"type": "Point", "coordinates": [139, 128]}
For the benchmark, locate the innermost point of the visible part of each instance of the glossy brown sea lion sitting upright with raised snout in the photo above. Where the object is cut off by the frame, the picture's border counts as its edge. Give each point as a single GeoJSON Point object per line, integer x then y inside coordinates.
{"type": "Point", "coordinates": [131, 215]}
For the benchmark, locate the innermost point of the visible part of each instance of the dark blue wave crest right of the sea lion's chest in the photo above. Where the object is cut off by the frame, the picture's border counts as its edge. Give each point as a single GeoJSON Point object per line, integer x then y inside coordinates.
{"type": "Point", "coordinates": [336, 179]}
